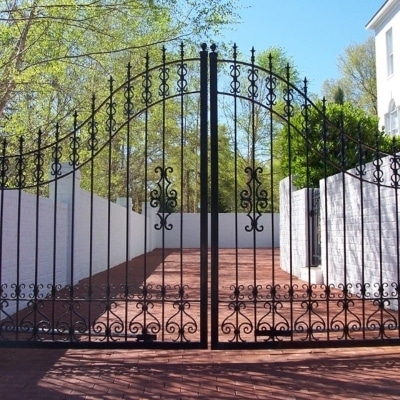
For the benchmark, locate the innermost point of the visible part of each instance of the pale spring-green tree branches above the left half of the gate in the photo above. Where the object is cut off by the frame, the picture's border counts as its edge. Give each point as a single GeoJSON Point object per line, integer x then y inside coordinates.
{"type": "Point", "coordinates": [56, 53]}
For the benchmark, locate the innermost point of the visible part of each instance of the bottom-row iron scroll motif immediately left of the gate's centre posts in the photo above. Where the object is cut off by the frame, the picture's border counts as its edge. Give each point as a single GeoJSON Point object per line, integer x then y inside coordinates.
{"type": "Point", "coordinates": [181, 324]}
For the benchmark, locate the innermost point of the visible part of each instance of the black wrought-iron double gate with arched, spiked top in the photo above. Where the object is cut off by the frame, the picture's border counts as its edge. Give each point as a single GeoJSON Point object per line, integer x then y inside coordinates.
{"type": "Point", "coordinates": [167, 216]}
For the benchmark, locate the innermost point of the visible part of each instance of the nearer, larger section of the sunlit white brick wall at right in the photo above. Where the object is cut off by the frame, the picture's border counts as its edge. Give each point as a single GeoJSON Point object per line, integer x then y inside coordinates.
{"type": "Point", "coordinates": [347, 254]}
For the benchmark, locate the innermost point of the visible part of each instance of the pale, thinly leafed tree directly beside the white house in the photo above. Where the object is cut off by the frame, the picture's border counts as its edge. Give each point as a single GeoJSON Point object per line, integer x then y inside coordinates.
{"type": "Point", "coordinates": [357, 79]}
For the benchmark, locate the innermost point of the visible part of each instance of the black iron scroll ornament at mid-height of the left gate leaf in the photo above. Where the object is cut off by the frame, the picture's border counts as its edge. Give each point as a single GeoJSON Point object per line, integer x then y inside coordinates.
{"type": "Point", "coordinates": [164, 198]}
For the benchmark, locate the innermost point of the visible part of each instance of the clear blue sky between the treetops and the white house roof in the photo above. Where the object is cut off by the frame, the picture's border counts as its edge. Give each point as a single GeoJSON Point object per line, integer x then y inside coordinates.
{"type": "Point", "coordinates": [314, 33]}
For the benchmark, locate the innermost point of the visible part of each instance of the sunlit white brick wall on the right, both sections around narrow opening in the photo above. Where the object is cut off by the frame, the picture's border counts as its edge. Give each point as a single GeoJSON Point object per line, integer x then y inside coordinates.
{"type": "Point", "coordinates": [348, 255]}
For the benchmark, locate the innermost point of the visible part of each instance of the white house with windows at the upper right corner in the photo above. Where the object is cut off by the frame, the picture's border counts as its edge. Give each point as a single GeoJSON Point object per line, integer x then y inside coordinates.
{"type": "Point", "coordinates": [386, 24]}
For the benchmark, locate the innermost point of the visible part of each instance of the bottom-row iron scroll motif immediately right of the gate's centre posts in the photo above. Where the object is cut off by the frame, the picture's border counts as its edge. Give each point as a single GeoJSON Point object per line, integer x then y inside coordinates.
{"type": "Point", "coordinates": [237, 323]}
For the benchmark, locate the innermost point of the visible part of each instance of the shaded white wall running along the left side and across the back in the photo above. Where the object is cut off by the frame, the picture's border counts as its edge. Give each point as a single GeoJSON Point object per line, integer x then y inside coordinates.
{"type": "Point", "coordinates": [75, 208]}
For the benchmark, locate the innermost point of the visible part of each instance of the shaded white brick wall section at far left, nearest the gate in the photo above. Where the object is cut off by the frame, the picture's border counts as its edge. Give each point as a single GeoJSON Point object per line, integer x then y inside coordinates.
{"type": "Point", "coordinates": [18, 251]}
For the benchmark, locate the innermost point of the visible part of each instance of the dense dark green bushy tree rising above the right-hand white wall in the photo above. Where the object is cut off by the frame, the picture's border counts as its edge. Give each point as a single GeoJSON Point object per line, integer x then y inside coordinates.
{"type": "Point", "coordinates": [326, 143]}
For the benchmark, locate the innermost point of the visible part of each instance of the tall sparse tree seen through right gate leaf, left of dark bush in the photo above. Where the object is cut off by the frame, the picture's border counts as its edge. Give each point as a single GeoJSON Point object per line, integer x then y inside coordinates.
{"type": "Point", "coordinates": [252, 122]}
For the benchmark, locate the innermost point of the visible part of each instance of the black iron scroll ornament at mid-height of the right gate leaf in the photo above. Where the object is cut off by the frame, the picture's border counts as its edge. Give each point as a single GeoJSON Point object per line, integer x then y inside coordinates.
{"type": "Point", "coordinates": [254, 199]}
